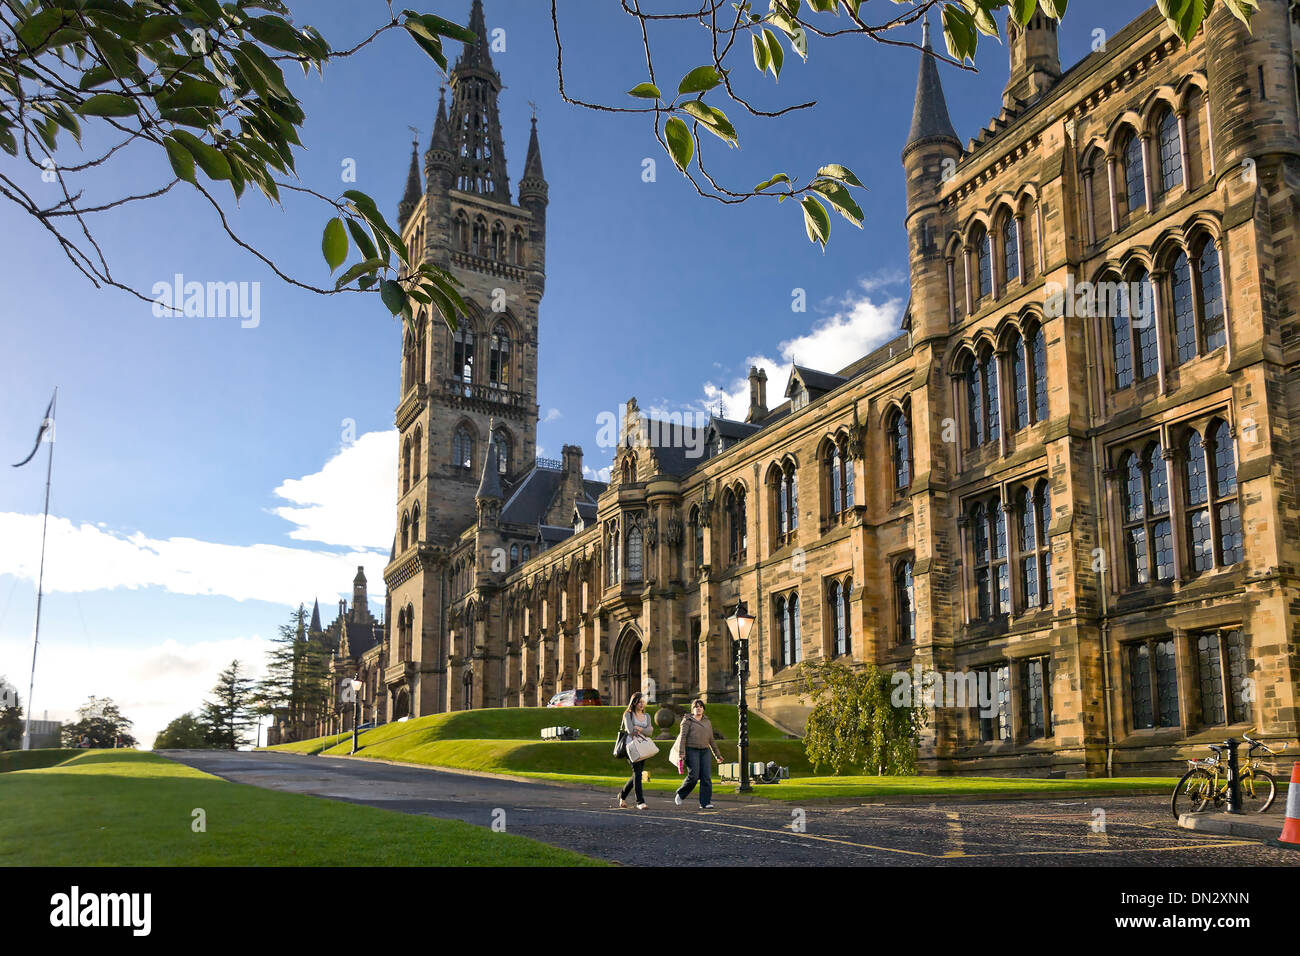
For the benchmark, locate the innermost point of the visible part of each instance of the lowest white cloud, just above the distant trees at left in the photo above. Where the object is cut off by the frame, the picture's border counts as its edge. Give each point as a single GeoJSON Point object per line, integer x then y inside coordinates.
{"type": "Point", "coordinates": [153, 686]}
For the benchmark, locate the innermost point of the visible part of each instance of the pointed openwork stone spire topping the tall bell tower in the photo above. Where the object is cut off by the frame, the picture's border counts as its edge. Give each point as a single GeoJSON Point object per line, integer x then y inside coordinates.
{"type": "Point", "coordinates": [474, 122]}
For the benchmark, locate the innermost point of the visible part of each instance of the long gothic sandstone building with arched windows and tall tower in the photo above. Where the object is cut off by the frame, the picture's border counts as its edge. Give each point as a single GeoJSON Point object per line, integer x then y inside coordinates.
{"type": "Point", "coordinates": [1072, 475]}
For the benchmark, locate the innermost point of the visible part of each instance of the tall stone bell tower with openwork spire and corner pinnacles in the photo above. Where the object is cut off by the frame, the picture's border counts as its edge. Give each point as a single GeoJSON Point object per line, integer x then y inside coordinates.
{"type": "Point", "coordinates": [466, 388]}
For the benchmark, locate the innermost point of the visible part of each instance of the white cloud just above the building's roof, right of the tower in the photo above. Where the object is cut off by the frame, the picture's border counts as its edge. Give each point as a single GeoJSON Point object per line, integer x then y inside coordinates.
{"type": "Point", "coordinates": [835, 343]}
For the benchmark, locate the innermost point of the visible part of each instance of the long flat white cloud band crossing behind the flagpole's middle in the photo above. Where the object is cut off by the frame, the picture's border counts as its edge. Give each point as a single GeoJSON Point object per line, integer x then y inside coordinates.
{"type": "Point", "coordinates": [85, 557]}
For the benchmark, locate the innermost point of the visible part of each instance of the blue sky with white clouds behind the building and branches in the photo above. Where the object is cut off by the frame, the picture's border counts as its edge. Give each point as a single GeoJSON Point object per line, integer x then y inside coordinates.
{"type": "Point", "coordinates": [206, 474]}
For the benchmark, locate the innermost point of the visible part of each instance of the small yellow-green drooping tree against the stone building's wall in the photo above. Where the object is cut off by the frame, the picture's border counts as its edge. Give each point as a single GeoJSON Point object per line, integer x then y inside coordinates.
{"type": "Point", "coordinates": [853, 723]}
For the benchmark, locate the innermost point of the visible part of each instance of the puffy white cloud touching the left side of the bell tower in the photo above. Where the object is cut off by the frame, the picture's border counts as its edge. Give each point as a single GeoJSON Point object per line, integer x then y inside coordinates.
{"type": "Point", "coordinates": [350, 501]}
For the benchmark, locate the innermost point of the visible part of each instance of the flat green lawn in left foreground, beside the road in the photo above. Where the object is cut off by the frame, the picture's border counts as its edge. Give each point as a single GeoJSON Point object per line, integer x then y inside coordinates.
{"type": "Point", "coordinates": [127, 808]}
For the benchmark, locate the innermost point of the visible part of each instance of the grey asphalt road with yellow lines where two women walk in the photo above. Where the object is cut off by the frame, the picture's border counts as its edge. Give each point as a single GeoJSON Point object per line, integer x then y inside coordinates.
{"type": "Point", "coordinates": [1138, 832]}
